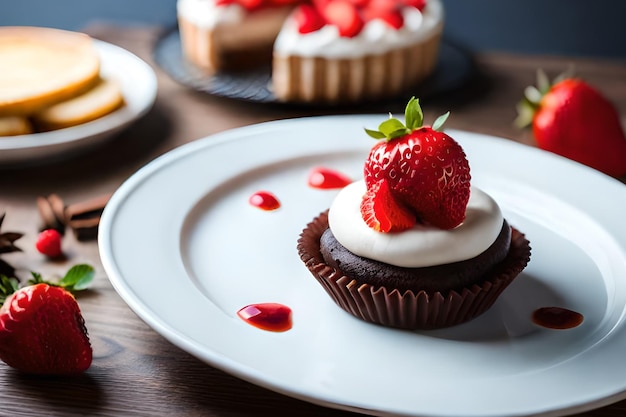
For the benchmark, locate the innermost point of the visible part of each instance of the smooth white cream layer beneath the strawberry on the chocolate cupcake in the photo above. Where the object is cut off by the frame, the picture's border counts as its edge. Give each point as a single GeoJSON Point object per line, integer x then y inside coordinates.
{"type": "Point", "coordinates": [422, 245]}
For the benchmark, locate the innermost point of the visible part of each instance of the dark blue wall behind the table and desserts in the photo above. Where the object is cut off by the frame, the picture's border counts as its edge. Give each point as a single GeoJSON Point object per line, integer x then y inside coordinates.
{"type": "Point", "coordinates": [563, 27]}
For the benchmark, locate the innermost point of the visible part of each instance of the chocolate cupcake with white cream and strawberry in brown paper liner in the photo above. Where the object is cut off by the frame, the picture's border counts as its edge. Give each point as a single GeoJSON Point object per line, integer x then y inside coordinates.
{"type": "Point", "coordinates": [414, 245]}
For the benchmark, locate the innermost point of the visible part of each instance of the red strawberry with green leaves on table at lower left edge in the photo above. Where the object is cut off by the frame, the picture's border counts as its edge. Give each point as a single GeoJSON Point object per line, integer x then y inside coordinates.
{"type": "Point", "coordinates": [42, 330]}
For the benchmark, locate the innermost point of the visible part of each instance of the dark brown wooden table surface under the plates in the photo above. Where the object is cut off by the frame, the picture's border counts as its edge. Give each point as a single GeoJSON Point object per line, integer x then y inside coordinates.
{"type": "Point", "coordinates": [135, 371]}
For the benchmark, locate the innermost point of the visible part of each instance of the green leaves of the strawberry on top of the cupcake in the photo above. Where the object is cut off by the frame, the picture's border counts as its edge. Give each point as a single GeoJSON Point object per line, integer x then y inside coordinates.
{"type": "Point", "coordinates": [393, 128]}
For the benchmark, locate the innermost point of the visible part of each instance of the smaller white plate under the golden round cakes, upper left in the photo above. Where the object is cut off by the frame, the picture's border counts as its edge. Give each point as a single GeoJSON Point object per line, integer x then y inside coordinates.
{"type": "Point", "coordinates": [139, 87]}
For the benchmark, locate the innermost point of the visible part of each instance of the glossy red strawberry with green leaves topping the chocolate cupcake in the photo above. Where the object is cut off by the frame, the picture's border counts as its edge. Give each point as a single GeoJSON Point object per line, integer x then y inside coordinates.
{"type": "Point", "coordinates": [426, 173]}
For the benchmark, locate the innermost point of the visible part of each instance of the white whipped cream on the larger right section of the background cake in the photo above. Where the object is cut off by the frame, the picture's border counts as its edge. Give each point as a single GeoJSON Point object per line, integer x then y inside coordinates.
{"type": "Point", "coordinates": [377, 37]}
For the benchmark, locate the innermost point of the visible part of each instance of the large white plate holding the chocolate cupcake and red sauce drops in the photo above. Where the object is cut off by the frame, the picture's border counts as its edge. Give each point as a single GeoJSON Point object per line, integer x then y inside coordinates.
{"type": "Point", "coordinates": [185, 250]}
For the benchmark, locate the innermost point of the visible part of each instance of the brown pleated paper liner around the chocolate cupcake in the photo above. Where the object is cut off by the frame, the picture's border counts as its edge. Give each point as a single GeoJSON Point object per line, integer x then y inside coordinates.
{"type": "Point", "coordinates": [414, 310]}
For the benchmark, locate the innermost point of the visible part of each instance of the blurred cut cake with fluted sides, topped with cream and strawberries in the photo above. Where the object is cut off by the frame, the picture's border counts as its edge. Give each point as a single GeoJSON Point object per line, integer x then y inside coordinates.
{"type": "Point", "coordinates": [324, 51]}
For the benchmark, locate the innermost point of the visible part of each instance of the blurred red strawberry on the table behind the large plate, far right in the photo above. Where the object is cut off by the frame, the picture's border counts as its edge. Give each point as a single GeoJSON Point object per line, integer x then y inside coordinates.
{"type": "Point", "coordinates": [571, 118]}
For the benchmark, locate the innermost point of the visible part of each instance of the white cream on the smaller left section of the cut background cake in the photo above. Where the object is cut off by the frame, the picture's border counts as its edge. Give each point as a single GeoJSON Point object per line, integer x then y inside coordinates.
{"type": "Point", "coordinates": [207, 14]}
